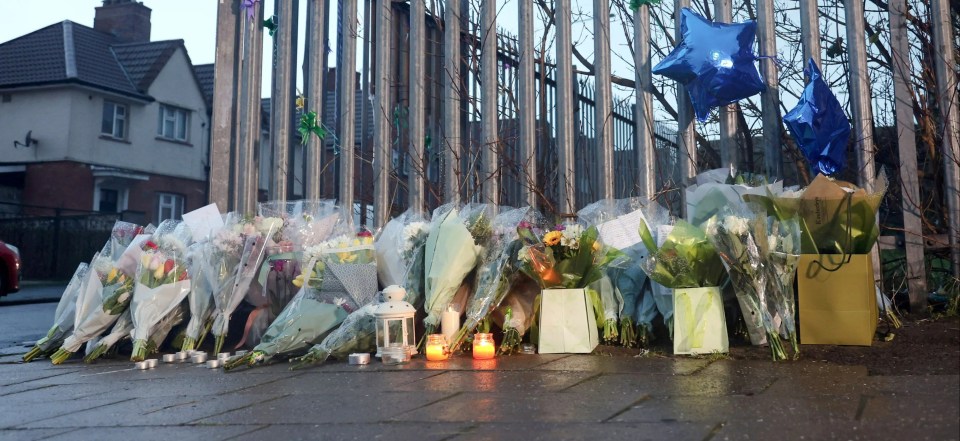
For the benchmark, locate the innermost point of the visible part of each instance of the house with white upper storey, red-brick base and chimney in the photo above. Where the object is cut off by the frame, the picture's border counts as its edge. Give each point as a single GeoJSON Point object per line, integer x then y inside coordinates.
{"type": "Point", "coordinates": [102, 120]}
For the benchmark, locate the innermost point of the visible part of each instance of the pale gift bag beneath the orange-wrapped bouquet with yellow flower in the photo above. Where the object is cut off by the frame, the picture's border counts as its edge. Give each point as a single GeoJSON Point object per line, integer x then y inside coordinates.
{"type": "Point", "coordinates": [567, 322]}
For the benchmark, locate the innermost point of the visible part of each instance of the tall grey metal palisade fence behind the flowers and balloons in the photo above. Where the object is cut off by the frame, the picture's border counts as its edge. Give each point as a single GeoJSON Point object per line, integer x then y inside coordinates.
{"type": "Point", "coordinates": [461, 112]}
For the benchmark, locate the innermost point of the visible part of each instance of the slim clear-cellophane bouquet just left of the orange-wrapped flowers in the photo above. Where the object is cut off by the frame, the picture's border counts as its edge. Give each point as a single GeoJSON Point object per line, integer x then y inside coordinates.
{"type": "Point", "coordinates": [495, 274]}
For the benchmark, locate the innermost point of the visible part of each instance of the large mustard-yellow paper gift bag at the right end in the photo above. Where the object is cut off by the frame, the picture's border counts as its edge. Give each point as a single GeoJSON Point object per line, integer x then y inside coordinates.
{"type": "Point", "coordinates": [836, 307]}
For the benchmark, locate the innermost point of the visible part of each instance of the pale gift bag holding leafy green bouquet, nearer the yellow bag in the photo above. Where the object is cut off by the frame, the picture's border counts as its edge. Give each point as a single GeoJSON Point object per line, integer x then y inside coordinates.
{"type": "Point", "coordinates": [699, 325]}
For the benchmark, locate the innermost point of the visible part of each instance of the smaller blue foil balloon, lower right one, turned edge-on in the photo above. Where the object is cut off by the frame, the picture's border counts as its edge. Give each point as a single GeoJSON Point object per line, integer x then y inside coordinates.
{"type": "Point", "coordinates": [819, 126]}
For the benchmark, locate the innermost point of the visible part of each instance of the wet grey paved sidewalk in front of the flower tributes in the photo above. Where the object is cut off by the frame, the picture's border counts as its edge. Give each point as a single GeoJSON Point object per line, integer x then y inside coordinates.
{"type": "Point", "coordinates": [523, 397]}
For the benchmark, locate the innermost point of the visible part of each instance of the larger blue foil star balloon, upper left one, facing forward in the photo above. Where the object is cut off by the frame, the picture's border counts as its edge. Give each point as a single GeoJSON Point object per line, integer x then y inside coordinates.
{"type": "Point", "coordinates": [715, 61]}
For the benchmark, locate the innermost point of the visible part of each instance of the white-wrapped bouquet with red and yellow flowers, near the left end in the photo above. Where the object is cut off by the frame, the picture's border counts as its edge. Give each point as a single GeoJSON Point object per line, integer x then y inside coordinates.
{"type": "Point", "coordinates": [162, 282]}
